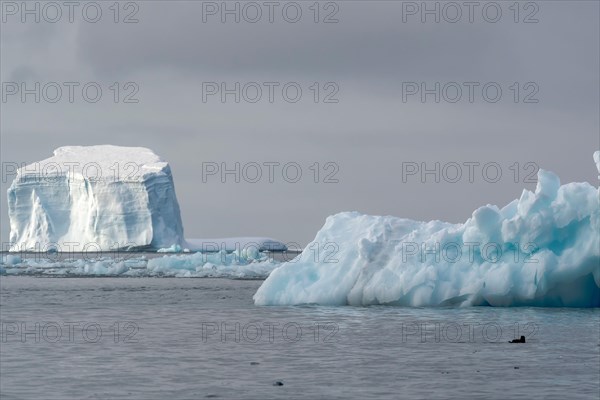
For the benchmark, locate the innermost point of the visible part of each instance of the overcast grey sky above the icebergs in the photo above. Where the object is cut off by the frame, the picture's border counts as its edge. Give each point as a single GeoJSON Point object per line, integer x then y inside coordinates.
{"type": "Point", "coordinates": [367, 61]}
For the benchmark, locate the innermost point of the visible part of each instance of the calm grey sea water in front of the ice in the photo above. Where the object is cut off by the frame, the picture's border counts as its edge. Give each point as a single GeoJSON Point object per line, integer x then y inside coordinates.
{"type": "Point", "coordinates": [169, 338]}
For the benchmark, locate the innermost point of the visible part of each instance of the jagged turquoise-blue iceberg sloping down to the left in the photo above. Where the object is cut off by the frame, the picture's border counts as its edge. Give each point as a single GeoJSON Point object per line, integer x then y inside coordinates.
{"type": "Point", "coordinates": [542, 249]}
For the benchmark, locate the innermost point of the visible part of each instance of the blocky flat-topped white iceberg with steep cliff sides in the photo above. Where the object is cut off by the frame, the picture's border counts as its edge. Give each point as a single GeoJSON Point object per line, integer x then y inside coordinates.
{"type": "Point", "coordinates": [94, 197]}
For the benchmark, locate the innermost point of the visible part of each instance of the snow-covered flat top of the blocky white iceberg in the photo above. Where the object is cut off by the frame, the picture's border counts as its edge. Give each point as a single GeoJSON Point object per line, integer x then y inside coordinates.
{"type": "Point", "coordinates": [99, 162]}
